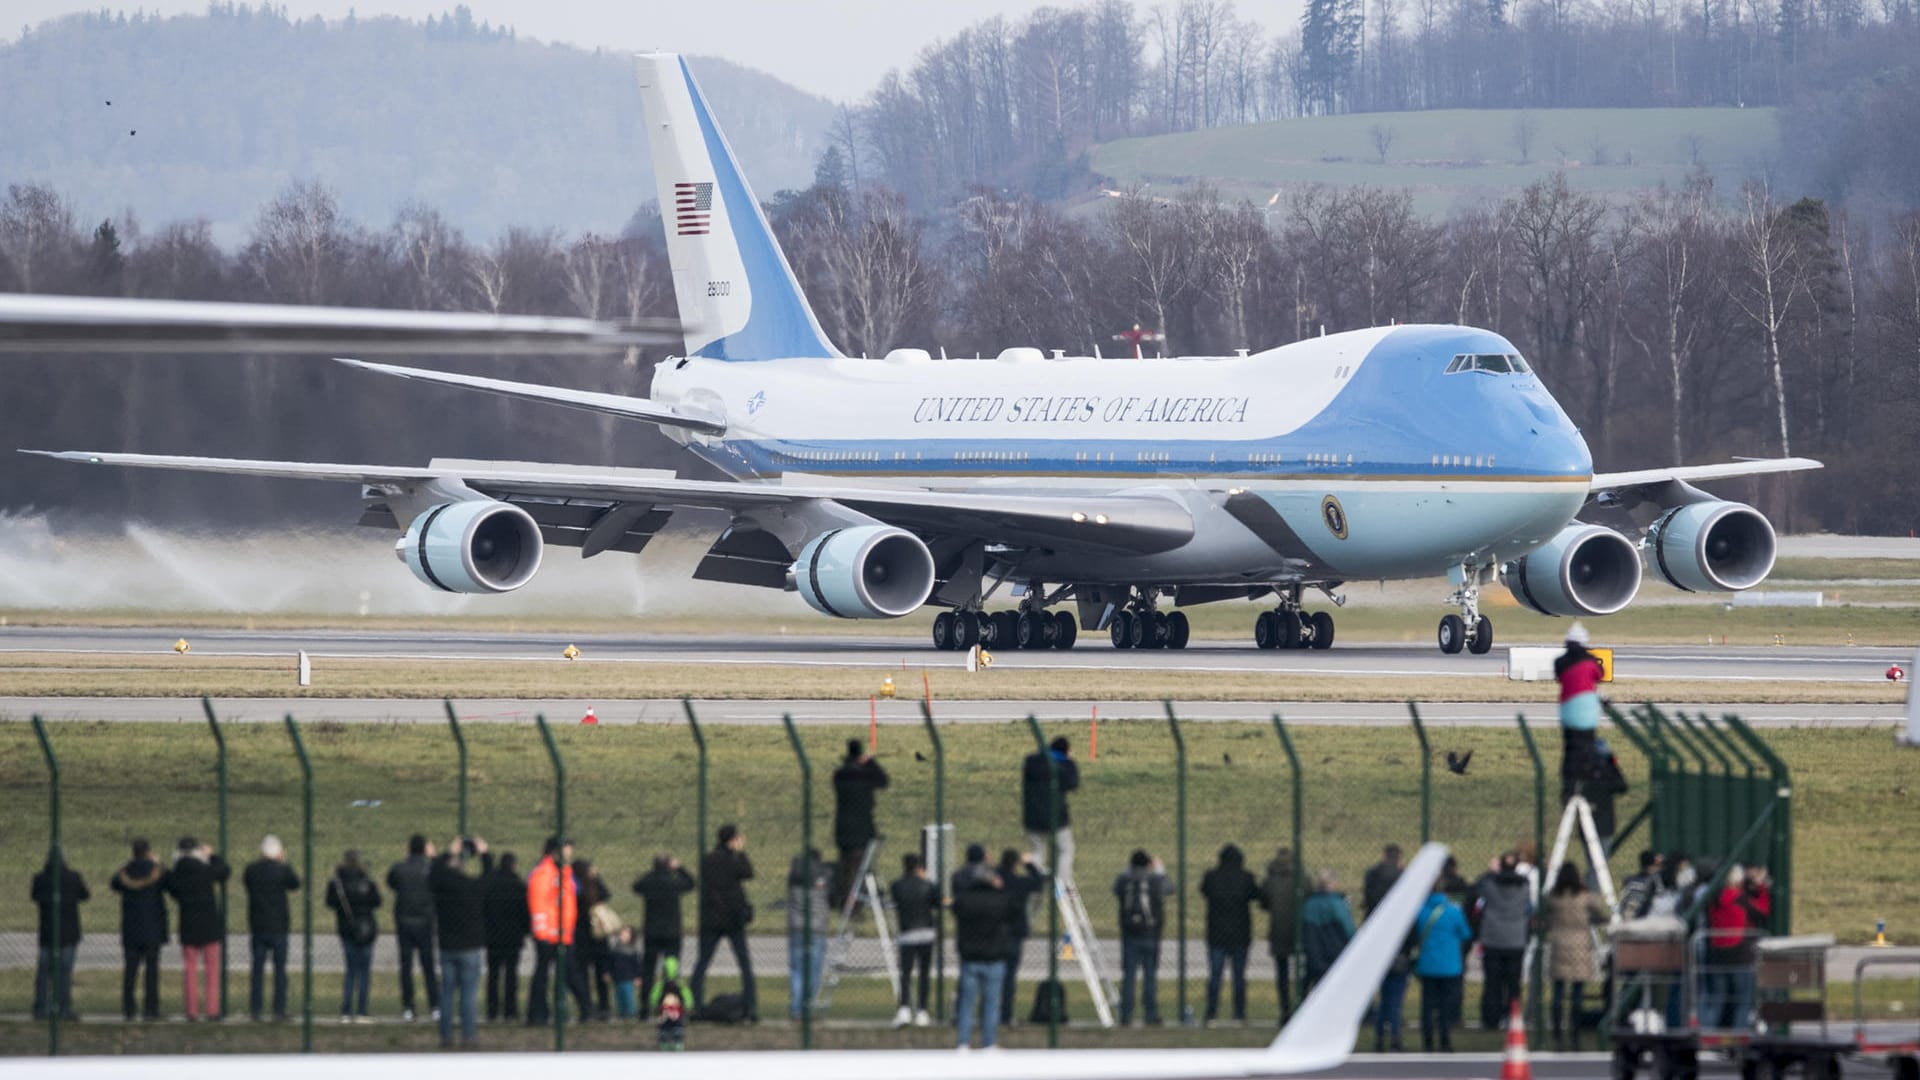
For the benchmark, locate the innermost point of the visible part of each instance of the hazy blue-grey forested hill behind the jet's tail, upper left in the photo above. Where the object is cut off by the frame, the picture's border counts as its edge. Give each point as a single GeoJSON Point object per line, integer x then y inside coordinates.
{"type": "Point", "coordinates": [214, 114]}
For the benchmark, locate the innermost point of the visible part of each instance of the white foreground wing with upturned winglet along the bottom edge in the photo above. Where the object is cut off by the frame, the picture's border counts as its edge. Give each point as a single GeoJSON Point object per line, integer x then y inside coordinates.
{"type": "Point", "coordinates": [1318, 1039]}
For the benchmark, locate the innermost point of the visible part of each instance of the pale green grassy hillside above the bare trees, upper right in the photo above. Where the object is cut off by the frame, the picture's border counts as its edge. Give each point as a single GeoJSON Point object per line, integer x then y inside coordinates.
{"type": "Point", "coordinates": [1452, 155]}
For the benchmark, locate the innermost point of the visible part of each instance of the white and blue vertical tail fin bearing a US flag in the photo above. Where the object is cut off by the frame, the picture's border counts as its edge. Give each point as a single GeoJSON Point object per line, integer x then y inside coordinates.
{"type": "Point", "coordinates": [736, 293]}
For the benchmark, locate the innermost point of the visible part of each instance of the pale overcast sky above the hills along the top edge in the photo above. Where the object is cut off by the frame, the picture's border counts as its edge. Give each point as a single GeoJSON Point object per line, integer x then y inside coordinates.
{"type": "Point", "coordinates": [838, 49]}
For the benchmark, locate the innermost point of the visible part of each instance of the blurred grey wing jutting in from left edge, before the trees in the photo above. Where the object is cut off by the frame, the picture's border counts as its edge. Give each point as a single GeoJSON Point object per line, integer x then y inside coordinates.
{"type": "Point", "coordinates": [93, 324]}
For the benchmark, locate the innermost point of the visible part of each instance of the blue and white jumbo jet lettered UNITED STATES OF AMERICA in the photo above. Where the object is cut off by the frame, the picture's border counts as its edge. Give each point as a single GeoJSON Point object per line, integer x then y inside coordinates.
{"type": "Point", "coordinates": [880, 485]}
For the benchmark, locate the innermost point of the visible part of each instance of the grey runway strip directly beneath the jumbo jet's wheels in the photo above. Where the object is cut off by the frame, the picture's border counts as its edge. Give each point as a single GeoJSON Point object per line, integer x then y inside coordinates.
{"type": "Point", "coordinates": [1714, 664]}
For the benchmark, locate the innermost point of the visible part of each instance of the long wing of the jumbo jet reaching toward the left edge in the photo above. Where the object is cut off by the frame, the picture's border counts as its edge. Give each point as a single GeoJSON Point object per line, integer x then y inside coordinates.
{"type": "Point", "coordinates": [1122, 524]}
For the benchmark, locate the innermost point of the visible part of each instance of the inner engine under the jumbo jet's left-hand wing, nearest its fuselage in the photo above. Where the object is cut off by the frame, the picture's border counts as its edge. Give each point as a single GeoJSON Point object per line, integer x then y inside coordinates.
{"type": "Point", "coordinates": [869, 572]}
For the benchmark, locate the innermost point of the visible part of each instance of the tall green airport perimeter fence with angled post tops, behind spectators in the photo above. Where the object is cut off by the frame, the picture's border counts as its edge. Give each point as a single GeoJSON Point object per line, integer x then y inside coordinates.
{"type": "Point", "coordinates": [1322, 798]}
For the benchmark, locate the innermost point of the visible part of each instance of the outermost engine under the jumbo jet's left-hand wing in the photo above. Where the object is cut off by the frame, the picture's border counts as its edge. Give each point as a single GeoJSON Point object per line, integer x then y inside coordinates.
{"type": "Point", "coordinates": [473, 547]}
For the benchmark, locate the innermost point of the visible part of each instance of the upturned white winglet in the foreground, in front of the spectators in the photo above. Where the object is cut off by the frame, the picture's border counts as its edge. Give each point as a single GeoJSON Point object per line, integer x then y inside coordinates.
{"type": "Point", "coordinates": [1324, 1031]}
